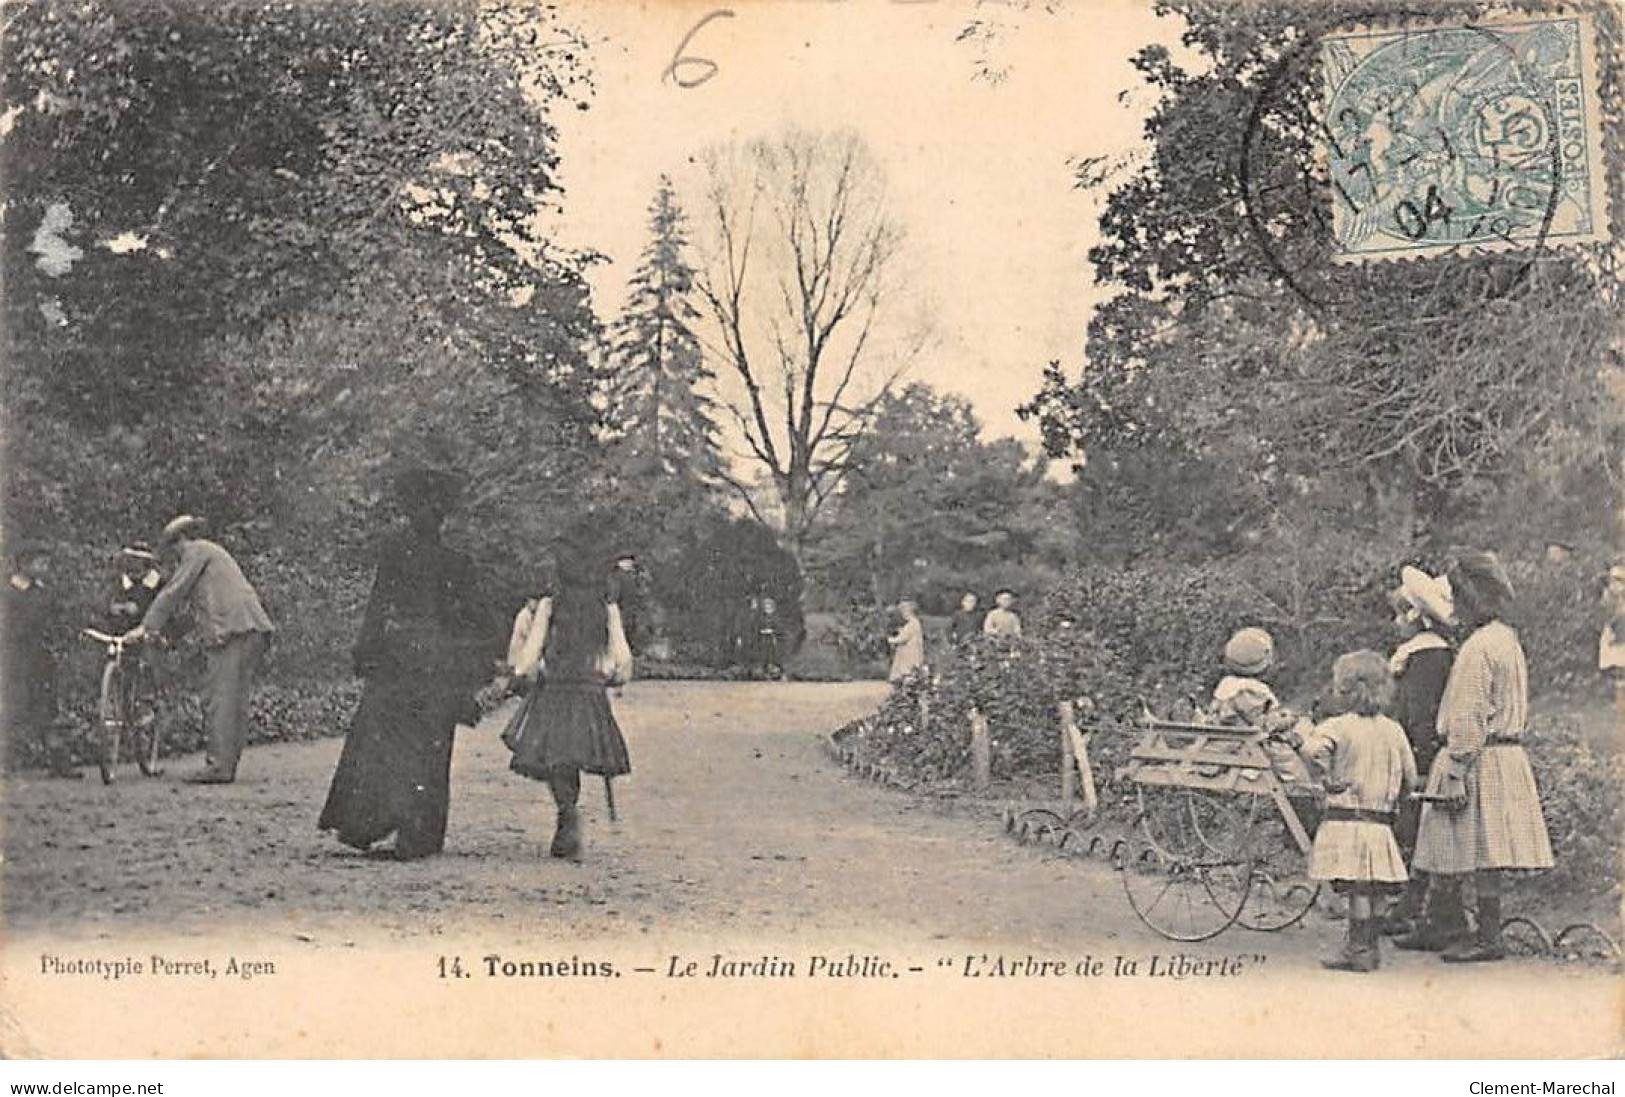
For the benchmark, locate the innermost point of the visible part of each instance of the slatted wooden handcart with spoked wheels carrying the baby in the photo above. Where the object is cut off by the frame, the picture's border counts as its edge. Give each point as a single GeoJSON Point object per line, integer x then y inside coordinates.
{"type": "Point", "coordinates": [1218, 839]}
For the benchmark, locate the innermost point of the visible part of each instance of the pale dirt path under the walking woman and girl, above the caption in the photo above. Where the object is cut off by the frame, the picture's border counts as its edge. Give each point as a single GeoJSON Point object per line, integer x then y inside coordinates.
{"type": "Point", "coordinates": [735, 820]}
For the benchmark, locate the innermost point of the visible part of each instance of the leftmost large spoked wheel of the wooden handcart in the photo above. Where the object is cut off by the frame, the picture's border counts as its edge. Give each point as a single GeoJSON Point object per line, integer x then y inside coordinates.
{"type": "Point", "coordinates": [1182, 898]}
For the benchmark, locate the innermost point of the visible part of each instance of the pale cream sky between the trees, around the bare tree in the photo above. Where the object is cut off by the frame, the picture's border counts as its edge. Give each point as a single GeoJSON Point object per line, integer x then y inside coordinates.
{"type": "Point", "coordinates": [977, 171]}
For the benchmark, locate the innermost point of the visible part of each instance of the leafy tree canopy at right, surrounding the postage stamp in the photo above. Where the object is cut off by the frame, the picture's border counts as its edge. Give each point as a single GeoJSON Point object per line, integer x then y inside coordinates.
{"type": "Point", "coordinates": [1234, 339]}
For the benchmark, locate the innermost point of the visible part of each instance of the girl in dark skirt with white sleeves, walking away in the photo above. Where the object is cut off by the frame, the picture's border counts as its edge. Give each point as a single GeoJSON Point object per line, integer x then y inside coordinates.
{"type": "Point", "coordinates": [576, 651]}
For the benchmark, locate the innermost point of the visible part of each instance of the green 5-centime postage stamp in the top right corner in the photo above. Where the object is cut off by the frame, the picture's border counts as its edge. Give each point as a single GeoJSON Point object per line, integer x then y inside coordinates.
{"type": "Point", "coordinates": [1463, 139]}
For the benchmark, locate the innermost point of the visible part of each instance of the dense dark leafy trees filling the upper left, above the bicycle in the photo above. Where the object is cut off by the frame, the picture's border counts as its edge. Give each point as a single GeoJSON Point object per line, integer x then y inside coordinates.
{"type": "Point", "coordinates": [254, 256]}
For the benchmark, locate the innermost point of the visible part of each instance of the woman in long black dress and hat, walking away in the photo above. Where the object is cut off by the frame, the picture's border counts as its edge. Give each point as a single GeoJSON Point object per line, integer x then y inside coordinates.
{"type": "Point", "coordinates": [420, 657]}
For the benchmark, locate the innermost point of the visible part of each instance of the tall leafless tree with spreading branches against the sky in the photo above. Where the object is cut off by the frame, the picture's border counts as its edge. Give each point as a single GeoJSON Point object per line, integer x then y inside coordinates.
{"type": "Point", "coordinates": [795, 280]}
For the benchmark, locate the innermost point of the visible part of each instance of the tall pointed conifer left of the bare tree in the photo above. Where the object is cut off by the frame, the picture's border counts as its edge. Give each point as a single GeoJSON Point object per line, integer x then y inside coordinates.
{"type": "Point", "coordinates": [667, 453]}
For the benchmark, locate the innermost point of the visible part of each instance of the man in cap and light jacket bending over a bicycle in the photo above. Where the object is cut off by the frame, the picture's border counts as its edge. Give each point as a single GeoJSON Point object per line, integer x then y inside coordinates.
{"type": "Point", "coordinates": [233, 628]}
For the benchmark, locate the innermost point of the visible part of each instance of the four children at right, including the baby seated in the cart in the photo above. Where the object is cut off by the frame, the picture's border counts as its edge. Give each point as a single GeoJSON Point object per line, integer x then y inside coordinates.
{"type": "Point", "coordinates": [1421, 761]}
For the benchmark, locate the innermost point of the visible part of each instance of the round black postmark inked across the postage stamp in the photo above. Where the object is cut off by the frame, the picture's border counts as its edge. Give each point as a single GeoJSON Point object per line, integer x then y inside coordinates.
{"type": "Point", "coordinates": [1408, 141]}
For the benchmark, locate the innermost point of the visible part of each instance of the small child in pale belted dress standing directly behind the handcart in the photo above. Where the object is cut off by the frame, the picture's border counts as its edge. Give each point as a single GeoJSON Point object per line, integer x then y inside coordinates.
{"type": "Point", "coordinates": [1364, 761]}
